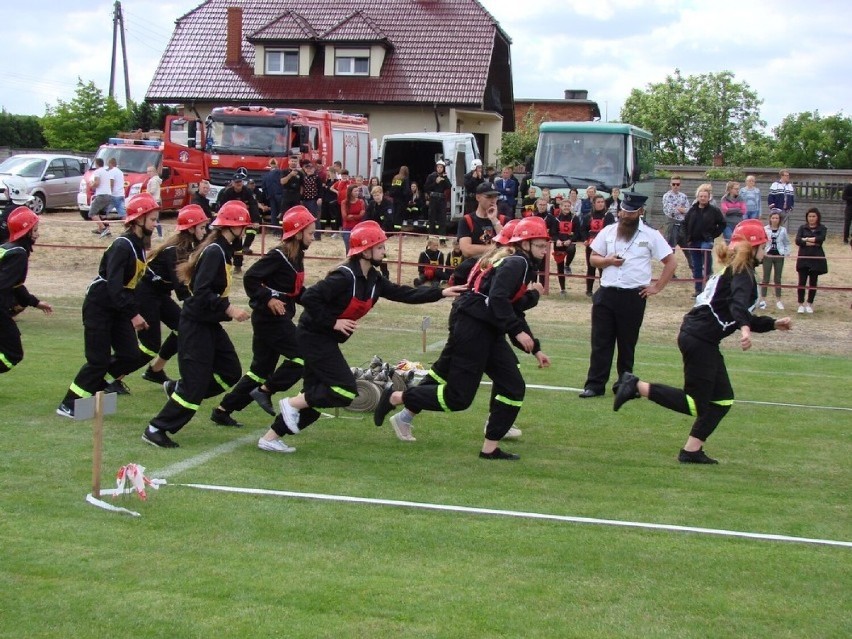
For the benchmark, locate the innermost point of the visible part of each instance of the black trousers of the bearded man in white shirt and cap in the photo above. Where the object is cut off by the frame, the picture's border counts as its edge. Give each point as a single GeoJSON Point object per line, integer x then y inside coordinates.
{"type": "Point", "coordinates": [617, 315]}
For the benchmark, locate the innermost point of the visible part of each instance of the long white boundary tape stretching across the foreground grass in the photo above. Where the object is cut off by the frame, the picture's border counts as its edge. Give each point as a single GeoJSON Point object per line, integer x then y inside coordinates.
{"type": "Point", "coordinates": [520, 514]}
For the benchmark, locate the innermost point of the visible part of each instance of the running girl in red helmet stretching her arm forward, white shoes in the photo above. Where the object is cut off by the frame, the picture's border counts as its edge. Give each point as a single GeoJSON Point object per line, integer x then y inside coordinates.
{"type": "Point", "coordinates": [332, 308]}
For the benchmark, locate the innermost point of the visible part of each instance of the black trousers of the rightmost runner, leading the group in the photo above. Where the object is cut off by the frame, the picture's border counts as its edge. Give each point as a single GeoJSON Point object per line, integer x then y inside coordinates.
{"type": "Point", "coordinates": [707, 394]}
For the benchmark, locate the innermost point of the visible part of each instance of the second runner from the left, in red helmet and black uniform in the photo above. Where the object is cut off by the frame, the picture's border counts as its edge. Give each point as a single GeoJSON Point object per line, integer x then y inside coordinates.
{"type": "Point", "coordinates": [111, 314]}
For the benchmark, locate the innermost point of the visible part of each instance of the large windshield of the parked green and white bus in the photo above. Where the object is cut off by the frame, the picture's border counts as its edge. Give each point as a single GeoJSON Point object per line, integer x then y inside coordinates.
{"type": "Point", "coordinates": [578, 159]}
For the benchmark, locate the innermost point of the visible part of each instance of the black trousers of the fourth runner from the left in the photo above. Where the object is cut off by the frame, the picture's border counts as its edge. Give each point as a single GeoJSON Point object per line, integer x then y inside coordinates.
{"type": "Point", "coordinates": [209, 365]}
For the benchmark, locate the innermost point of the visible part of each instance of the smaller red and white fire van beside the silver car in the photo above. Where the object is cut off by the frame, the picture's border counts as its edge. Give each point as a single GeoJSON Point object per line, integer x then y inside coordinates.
{"type": "Point", "coordinates": [133, 154]}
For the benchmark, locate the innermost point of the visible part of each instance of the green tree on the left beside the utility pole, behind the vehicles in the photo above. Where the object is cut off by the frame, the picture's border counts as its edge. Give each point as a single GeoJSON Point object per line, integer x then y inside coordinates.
{"type": "Point", "coordinates": [84, 122]}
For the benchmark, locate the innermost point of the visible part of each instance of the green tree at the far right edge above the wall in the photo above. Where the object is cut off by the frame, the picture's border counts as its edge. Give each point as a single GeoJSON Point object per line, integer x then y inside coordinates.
{"type": "Point", "coordinates": [808, 140]}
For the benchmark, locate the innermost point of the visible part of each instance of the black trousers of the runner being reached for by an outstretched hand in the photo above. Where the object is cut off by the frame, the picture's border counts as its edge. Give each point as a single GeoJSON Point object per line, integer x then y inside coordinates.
{"type": "Point", "coordinates": [478, 349]}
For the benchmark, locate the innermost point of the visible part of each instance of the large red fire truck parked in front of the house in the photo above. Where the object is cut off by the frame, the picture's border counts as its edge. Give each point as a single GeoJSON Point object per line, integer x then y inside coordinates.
{"type": "Point", "coordinates": [247, 137]}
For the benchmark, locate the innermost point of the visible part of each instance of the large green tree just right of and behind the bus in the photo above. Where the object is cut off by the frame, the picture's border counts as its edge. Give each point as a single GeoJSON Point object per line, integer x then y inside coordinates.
{"type": "Point", "coordinates": [696, 118]}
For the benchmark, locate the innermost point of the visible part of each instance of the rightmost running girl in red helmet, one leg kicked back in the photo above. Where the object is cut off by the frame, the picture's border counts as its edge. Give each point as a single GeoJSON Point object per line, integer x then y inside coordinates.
{"type": "Point", "coordinates": [723, 308]}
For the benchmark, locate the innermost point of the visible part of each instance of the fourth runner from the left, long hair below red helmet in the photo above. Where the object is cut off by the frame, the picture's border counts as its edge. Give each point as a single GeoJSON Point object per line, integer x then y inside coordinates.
{"type": "Point", "coordinates": [208, 363]}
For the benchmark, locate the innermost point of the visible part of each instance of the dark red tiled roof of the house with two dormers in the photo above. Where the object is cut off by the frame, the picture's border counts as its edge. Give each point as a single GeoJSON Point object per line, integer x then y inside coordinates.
{"type": "Point", "coordinates": [441, 53]}
